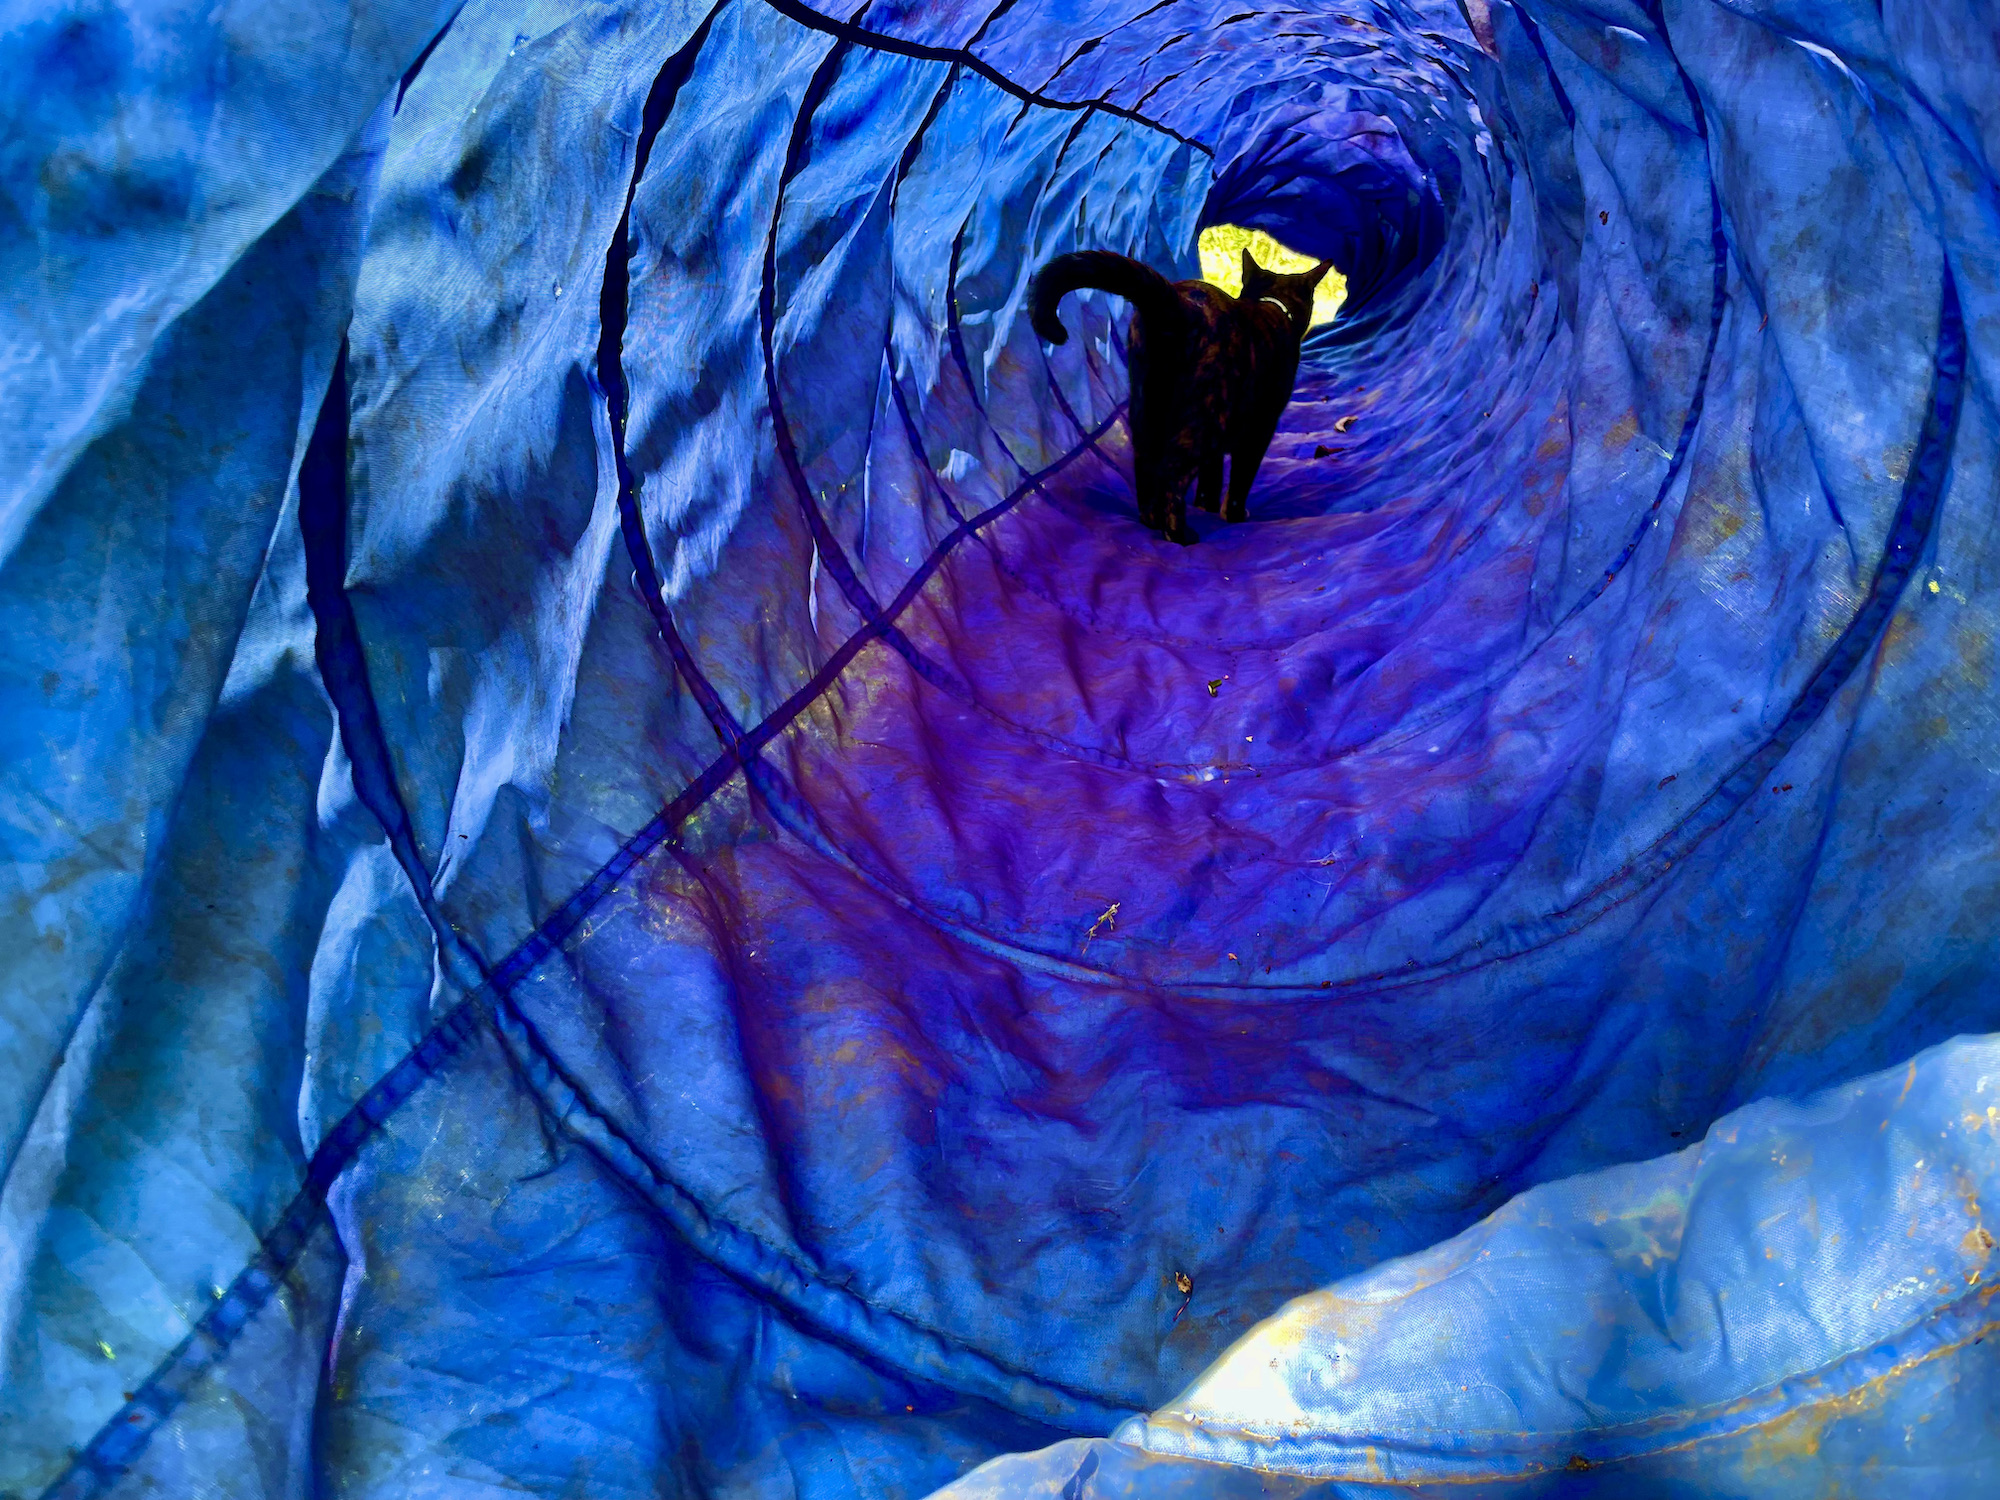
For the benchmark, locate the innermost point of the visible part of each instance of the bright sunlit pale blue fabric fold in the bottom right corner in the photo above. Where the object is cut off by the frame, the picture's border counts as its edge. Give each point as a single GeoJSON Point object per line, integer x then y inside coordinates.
{"type": "Point", "coordinates": [1799, 1305]}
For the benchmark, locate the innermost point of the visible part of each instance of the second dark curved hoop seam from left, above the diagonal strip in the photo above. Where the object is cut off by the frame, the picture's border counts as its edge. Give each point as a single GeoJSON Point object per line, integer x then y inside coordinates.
{"type": "Point", "coordinates": [615, 311]}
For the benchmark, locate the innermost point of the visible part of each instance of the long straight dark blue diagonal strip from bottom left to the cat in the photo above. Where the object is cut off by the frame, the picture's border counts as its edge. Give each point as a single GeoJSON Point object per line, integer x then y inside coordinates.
{"type": "Point", "coordinates": [119, 1443]}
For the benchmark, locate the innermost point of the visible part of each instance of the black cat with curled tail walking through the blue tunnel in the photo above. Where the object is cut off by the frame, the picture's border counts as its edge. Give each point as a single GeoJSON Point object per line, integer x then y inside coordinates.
{"type": "Point", "coordinates": [1211, 373]}
